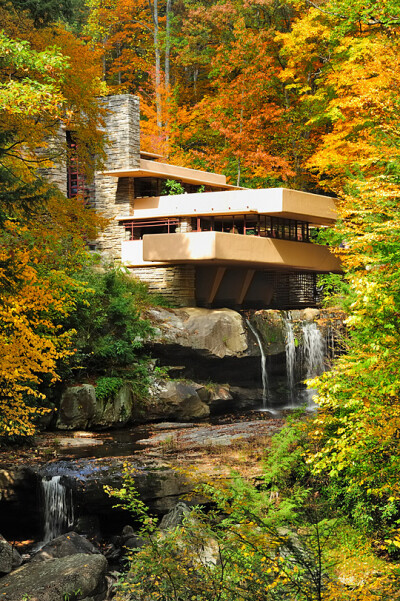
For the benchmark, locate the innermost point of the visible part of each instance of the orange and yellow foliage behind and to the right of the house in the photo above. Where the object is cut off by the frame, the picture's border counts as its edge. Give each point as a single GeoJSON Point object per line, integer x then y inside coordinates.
{"type": "Point", "coordinates": [302, 94]}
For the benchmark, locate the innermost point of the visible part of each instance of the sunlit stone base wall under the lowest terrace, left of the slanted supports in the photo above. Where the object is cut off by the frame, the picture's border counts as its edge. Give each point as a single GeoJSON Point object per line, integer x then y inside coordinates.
{"type": "Point", "coordinates": [176, 282]}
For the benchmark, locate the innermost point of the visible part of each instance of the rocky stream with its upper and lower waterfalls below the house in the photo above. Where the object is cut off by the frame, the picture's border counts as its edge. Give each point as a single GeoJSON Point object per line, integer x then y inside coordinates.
{"type": "Point", "coordinates": [67, 489]}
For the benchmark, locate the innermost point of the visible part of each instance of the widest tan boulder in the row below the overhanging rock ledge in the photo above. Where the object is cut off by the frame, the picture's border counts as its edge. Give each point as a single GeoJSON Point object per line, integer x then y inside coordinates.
{"type": "Point", "coordinates": [178, 400]}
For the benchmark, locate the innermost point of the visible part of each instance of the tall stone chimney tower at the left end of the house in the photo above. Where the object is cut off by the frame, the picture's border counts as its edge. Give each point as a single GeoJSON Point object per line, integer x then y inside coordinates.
{"type": "Point", "coordinates": [113, 197]}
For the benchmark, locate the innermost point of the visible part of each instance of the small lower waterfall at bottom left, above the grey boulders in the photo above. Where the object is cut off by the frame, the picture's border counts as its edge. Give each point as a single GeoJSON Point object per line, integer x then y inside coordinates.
{"type": "Point", "coordinates": [58, 508]}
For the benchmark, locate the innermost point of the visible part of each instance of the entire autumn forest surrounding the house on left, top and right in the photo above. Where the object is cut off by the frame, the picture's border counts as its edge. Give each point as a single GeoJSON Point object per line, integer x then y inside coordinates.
{"type": "Point", "coordinates": [301, 94]}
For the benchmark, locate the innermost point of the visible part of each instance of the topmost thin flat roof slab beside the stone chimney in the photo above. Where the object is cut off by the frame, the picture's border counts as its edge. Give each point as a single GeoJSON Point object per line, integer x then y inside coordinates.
{"type": "Point", "coordinates": [184, 174]}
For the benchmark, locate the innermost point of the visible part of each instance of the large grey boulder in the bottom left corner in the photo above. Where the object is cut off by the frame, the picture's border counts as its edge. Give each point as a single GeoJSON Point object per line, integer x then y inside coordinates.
{"type": "Point", "coordinates": [77, 576]}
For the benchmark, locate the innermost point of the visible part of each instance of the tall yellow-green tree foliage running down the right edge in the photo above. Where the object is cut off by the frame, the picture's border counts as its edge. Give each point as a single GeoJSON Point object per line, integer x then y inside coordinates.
{"type": "Point", "coordinates": [355, 442]}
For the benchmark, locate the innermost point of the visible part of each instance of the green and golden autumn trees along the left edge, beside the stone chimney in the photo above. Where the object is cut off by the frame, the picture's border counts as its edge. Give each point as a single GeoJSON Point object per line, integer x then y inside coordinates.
{"type": "Point", "coordinates": [42, 234]}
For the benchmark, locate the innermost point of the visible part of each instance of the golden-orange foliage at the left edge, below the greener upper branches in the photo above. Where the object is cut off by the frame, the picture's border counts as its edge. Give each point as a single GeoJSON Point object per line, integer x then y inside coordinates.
{"type": "Point", "coordinates": [32, 300]}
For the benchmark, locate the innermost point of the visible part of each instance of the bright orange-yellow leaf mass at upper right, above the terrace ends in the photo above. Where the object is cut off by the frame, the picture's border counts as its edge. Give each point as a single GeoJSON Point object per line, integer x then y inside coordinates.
{"type": "Point", "coordinates": [366, 99]}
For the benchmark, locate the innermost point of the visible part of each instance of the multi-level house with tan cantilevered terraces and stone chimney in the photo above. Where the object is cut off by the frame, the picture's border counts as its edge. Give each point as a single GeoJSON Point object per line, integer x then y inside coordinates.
{"type": "Point", "coordinates": [223, 246]}
